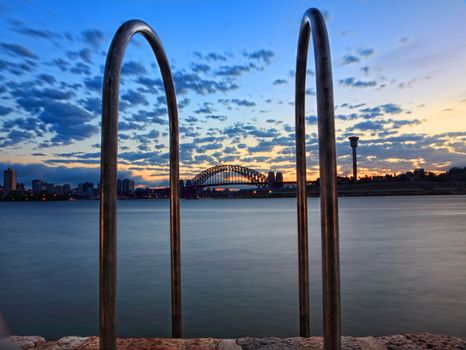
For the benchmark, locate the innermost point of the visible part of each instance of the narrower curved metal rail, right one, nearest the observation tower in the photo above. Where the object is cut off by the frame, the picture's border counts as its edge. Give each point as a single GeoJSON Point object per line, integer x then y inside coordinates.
{"type": "Point", "coordinates": [328, 180]}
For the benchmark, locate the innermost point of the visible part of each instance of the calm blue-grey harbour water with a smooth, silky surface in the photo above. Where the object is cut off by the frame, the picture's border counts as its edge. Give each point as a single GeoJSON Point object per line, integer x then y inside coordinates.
{"type": "Point", "coordinates": [403, 267]}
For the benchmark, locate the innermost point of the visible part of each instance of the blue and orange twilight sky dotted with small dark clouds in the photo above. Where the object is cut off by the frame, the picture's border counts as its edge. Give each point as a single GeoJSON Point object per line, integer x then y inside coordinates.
{"type": "Point", "coordinates": [398, 71]}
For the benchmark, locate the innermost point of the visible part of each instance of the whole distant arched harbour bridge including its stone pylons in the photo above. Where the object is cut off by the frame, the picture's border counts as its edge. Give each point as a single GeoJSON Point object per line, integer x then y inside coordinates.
{"type": "Point", "coordinates": [231, 174]}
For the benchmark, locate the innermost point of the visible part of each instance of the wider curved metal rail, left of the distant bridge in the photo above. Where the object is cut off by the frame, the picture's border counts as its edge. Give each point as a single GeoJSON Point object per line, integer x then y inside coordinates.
{"type": "Point", "coordinates": [108, 179]}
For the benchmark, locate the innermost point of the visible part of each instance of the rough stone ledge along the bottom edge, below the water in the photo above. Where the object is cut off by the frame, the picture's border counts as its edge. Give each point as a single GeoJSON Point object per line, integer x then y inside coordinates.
{"type": "Point", "coordinates": [414, 341]}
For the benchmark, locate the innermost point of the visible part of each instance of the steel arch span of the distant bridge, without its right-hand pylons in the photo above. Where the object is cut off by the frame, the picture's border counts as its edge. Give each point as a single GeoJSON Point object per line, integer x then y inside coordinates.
{"type": "Point", "coordinates": [208, 176]}
